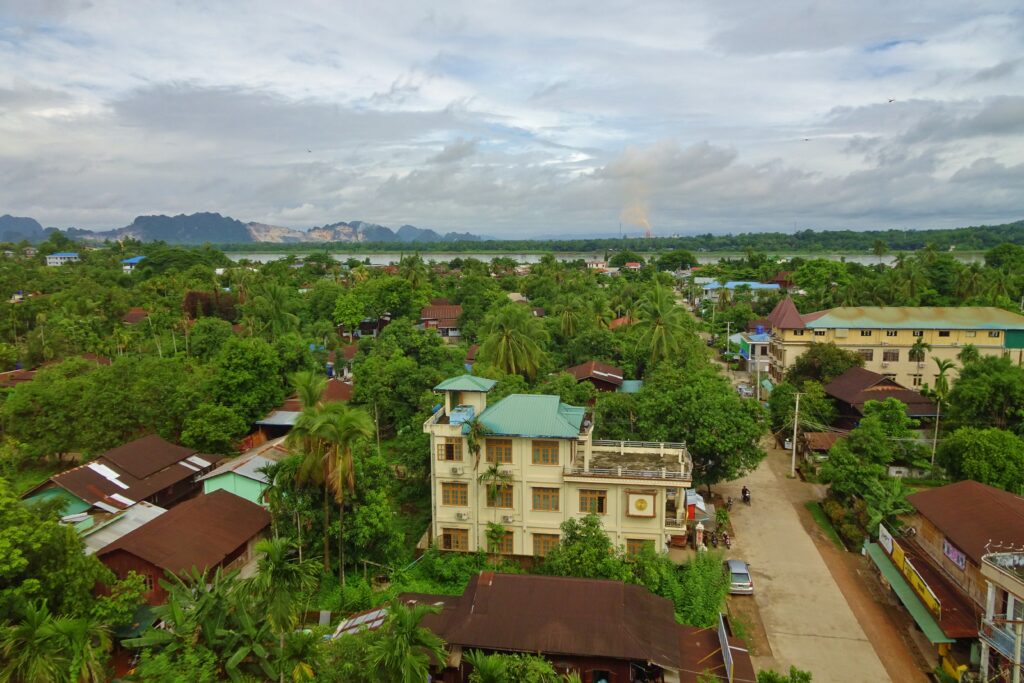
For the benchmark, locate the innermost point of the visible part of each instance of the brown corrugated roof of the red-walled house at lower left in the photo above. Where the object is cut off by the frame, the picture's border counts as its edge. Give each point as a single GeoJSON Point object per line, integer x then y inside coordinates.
{"type": "Point", "coordinates": [200, 533]}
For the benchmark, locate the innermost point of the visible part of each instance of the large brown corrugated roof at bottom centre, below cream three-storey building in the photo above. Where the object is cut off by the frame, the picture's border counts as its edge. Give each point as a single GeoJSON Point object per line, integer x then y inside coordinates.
{"type": "Point", "coordinates": [562, 616]}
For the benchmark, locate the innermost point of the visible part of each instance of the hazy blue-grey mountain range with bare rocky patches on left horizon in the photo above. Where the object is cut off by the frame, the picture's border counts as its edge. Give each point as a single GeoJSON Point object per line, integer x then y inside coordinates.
{"type": "Point", "coordinates": [214, 228]}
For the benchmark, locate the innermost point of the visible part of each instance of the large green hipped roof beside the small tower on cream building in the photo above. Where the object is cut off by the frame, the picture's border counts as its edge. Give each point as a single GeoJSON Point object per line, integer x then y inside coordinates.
{"type": "Point", "coordinates": [533, 415]}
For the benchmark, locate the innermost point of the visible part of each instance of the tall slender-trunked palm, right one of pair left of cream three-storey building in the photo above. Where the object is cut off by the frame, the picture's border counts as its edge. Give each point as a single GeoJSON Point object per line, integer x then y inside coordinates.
{"type": "Point", "coordinates": [345, 429]}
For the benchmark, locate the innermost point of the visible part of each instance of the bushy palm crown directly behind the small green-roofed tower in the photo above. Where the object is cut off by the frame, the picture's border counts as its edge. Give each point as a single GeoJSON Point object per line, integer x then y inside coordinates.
{"type": "Point", "coordinates": [513, 339]}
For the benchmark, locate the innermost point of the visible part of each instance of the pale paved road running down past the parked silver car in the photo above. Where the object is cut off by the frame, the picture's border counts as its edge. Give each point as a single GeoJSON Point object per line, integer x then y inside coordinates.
{"type": "Point", "coordinates": [808, 622]}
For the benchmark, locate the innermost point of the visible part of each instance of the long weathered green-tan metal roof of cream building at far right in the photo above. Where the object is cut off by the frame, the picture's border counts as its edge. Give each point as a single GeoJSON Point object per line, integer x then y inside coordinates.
{"type": "Point", "coordinates": [916, 318]}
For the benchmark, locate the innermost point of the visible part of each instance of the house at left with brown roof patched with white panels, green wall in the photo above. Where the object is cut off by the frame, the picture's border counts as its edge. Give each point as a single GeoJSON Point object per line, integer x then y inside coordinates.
{"type": "Point", "coordinates": [148, 469]}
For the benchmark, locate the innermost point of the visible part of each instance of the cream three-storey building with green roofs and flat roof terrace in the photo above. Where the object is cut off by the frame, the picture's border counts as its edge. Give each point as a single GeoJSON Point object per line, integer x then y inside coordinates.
{"type": "Point", "coordinates": [559, 472]}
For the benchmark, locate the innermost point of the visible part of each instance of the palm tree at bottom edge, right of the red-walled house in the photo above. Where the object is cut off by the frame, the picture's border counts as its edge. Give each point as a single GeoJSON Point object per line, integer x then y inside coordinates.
{"type": "Point", "coordinates": [278, 585]}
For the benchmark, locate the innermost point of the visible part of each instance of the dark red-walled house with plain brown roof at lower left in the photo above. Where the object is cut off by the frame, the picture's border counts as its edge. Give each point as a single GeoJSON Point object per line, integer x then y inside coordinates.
{"type": "Point", "coordinates": [208, 532]}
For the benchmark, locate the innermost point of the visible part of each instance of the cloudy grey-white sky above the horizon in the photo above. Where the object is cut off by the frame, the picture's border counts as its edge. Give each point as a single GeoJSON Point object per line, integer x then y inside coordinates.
{"type": "Point", "coordinates": [517, 118]}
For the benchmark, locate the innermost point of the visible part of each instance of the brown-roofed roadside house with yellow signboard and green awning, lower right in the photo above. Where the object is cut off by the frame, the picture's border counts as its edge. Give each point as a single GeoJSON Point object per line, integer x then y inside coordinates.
{"type": "Point", "coordinates": [935, 565]}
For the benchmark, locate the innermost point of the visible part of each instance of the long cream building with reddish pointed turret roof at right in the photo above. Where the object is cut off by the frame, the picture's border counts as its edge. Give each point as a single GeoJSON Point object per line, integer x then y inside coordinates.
{"type": "Point", "coordinates": [884, 336]}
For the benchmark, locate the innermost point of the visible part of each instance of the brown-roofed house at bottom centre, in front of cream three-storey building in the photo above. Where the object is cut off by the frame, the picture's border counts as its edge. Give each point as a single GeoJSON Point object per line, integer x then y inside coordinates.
{"type": "Point", "coordinates": [604, 630]}
